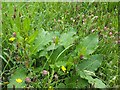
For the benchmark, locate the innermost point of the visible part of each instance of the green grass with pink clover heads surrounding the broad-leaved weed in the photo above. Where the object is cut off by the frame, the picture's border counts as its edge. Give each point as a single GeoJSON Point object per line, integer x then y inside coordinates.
{"type": "Point", "coordinates": [84, 18]}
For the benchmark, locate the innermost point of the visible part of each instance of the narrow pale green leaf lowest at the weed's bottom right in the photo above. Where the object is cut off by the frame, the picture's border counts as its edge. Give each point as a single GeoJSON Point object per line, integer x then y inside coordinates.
{"type": "Point", "coordinates": [97, 83]}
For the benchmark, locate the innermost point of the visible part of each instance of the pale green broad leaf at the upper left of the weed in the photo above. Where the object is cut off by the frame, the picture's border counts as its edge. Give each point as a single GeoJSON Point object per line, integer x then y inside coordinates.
{"type": "Point", "coordinates": [41, 40]}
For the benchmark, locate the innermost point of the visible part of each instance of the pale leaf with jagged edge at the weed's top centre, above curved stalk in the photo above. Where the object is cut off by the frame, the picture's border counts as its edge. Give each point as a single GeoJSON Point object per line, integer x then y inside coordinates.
{"type": "Point", "coordinates": [67, 38]}
